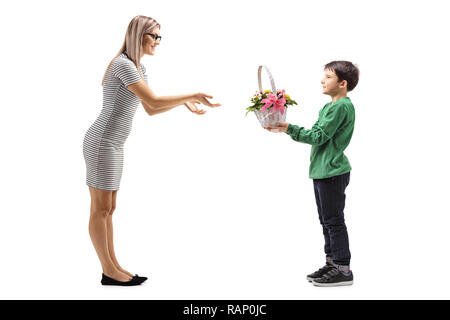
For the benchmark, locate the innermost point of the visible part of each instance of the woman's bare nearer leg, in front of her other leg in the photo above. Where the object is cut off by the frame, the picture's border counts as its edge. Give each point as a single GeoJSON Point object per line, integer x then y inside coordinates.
{"type": "Point", "coordinates": [101, 204]}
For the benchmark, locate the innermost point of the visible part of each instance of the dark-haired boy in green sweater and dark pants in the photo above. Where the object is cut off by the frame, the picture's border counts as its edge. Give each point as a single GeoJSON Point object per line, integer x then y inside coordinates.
{"type": "Point", "coordinates": [330, 168]}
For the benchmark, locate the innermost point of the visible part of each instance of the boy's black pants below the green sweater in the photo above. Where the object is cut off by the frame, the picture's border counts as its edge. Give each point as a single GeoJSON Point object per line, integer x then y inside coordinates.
{"type": "Point", "coordinates": [330, 199]}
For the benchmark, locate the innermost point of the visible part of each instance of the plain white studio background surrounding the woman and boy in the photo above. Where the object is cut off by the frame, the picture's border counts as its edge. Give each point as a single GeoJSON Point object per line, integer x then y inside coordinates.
{"type": "Point", "coordinates": [212, 206]}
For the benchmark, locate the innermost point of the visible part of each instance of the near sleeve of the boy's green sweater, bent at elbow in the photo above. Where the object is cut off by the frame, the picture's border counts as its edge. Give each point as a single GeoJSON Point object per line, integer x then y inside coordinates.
{"type": "Point", "coordinates": [324, 128]}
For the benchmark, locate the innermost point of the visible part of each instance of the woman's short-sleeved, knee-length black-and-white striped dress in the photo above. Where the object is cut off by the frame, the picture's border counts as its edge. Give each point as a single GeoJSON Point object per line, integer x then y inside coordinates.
{"type": "Point", "coordinates": [104, 140]}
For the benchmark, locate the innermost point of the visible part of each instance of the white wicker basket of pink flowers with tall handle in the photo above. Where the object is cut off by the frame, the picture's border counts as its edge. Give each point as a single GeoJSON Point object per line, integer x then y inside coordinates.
{"type": "Point", "coordinates": [270, 106]}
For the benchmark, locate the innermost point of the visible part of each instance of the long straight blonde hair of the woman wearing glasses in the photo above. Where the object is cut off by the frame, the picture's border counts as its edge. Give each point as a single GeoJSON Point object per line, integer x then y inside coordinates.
{"type": "Point", "coordinates": [132, 45]}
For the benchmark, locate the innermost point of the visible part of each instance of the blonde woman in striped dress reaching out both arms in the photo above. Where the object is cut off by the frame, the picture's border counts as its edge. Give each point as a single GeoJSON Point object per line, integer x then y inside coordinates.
{"type": "Point", "coordinates": [124, 86]}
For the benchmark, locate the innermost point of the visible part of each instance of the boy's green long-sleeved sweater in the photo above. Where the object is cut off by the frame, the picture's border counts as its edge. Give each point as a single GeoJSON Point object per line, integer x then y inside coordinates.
{"type": "Point", "coordinates": [329, 137]}
